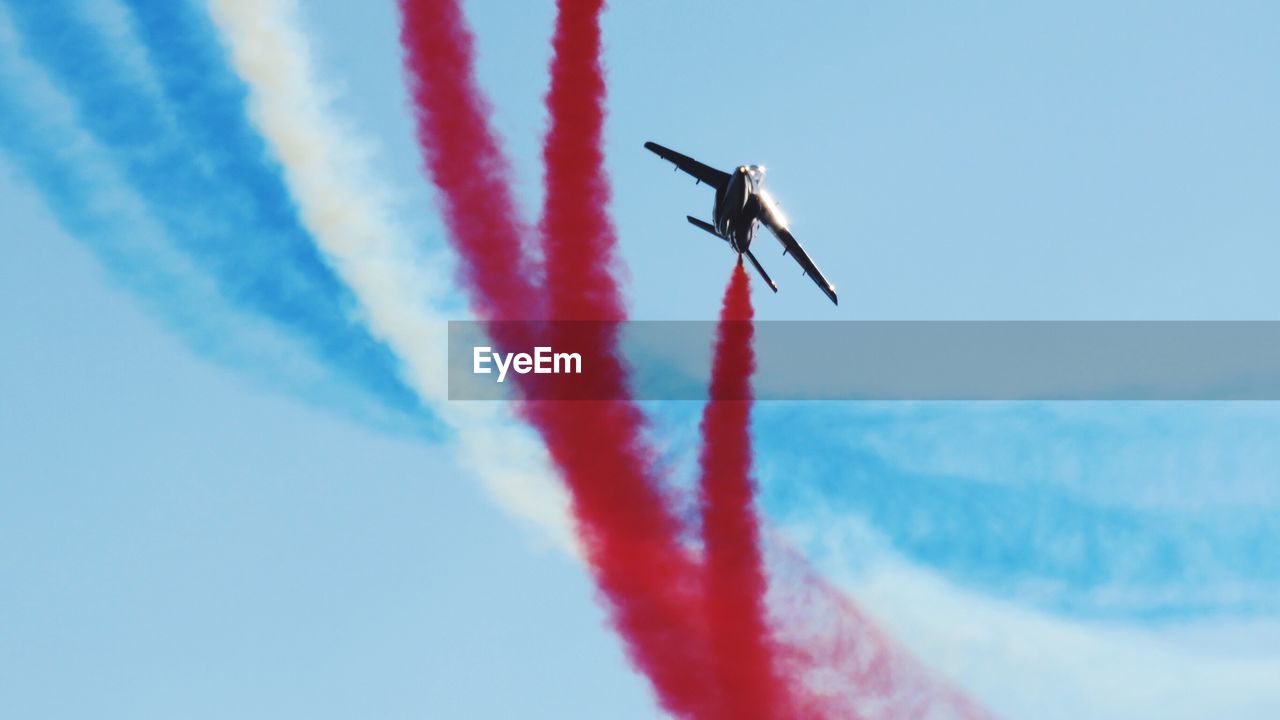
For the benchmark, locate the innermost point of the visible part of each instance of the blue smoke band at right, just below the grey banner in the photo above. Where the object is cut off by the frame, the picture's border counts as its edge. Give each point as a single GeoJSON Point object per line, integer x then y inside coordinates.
{"type": "Point", "coordinates": [1026, 539]}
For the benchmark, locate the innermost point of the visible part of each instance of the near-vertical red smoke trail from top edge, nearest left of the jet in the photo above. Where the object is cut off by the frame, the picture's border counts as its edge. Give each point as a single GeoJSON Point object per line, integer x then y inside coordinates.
{"type": "Point", "coordinates": [650, 586]}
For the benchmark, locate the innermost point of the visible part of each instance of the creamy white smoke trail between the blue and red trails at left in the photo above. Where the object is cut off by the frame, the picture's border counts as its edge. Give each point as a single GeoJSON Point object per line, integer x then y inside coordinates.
{"type": "Point", "coordinates": [399, 288]}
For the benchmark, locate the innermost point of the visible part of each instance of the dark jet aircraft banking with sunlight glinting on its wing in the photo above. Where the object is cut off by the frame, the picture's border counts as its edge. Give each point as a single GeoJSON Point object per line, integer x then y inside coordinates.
{"type": "Point", "coordinates": [742, 202]}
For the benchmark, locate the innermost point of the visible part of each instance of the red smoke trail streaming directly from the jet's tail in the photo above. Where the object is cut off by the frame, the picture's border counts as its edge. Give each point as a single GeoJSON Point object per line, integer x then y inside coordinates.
{"type": "Point", "coordinates": [740, 641]}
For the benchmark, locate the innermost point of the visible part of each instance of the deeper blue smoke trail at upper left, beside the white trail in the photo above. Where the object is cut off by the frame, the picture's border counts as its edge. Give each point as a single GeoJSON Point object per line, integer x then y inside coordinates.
{"type": "Point", "coordinates": [213, 192]}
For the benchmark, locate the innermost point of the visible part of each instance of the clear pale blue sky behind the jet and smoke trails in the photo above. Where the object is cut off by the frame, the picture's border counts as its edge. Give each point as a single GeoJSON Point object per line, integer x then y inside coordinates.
{"type": "Point", "coordinates": [180, 540]}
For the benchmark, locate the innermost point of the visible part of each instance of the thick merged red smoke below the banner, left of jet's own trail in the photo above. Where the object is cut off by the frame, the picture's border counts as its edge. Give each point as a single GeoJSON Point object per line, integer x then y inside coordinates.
{"type": "Point", "coordinates": [632, 543]}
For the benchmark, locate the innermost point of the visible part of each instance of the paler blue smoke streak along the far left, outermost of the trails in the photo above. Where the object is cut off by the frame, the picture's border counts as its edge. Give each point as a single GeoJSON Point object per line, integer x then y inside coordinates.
{"type": "Point", "coordinates": [85, 197]}
